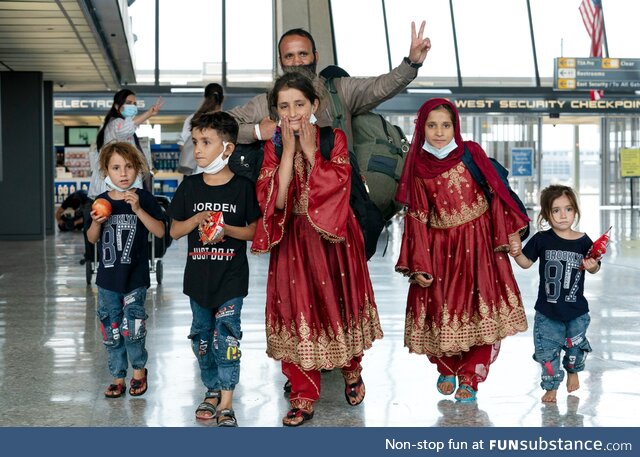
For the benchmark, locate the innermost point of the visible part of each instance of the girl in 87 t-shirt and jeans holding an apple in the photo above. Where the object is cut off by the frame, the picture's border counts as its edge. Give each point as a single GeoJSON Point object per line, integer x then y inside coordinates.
{"type": "Point", "coordinates": [123, 273]}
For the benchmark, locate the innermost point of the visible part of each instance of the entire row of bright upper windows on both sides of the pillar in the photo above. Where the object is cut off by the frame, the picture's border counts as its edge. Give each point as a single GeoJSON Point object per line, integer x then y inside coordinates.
{"type": "Point", "coordinates": [493, 37]}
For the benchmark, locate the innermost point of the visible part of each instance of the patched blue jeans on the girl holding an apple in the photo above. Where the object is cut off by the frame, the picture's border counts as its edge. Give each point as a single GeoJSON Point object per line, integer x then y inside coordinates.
{"type": "Point", "coordinates": [124, 330]}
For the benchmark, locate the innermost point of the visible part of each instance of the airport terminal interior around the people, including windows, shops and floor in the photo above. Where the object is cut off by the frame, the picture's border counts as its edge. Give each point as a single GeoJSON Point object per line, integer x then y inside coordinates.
{"type": "Point", "coordinates": [67, 58]}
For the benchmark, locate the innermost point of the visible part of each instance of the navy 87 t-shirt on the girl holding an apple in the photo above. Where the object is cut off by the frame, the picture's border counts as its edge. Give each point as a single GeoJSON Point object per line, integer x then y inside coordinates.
{"type": "Point", "coordinates": [124, 245]}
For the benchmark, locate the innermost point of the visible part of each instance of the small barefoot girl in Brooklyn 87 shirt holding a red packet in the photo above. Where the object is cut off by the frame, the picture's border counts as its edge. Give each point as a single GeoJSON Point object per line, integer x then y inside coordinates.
{"type": "Point", "coordinates": [562, 311]}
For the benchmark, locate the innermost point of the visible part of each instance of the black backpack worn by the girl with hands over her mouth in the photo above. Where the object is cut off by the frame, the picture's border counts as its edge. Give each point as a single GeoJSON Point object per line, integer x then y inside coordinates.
{"type": "Point", "coordinates": [367, 213]}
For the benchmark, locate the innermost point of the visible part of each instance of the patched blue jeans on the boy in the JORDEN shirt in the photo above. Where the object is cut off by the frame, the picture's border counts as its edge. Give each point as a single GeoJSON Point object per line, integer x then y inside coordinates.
{"type": "Point", "coordinates": [215, 338]}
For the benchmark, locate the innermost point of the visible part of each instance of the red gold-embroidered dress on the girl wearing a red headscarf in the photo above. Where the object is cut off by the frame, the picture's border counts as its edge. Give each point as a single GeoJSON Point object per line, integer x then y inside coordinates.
{"type": "Point", "coordinates": [454, 235]}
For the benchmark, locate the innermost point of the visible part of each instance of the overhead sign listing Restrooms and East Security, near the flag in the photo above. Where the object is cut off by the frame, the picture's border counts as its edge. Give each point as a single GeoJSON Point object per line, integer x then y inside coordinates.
{"type": "Point", "coordinates": [593, 73]}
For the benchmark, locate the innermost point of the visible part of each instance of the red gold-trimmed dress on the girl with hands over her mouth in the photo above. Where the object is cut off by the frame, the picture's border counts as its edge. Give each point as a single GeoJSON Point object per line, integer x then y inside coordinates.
{"type": "Point", "coordinates": [320, 306]}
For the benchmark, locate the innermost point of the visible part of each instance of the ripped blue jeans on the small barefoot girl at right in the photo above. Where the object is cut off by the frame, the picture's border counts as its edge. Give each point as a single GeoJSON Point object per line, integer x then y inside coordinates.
{"type": "Point", "coordinates": [550, 337]}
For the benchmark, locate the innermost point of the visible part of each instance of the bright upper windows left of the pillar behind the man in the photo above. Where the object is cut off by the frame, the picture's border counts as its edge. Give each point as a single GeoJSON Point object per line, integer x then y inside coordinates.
{"type": "Point", "coordinates": [192, 44]}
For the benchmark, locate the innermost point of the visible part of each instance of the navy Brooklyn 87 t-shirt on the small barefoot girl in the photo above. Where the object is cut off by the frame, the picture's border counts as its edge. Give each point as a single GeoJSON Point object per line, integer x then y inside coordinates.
{"type": "Point", "coordinates": [561, 291]}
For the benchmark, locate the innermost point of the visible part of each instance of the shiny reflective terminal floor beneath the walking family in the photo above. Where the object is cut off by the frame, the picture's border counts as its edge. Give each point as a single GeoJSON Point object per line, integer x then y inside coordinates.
{"type": "Point", "coordinates": [53, 366]}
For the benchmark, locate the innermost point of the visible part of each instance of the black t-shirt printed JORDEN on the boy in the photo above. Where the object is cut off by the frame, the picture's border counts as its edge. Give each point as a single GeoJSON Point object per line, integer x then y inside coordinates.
{"type": "Point", "coordinates": [216, 273]}
